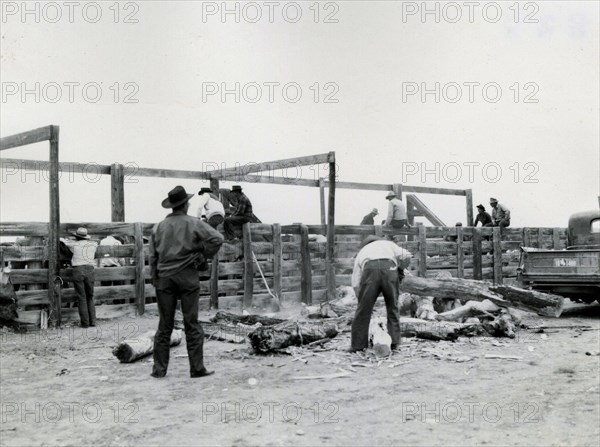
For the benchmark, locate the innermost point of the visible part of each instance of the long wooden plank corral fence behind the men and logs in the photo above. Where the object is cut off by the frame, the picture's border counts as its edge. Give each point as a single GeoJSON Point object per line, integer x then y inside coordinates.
{"type": "Point", "coordinates": [291, 259]}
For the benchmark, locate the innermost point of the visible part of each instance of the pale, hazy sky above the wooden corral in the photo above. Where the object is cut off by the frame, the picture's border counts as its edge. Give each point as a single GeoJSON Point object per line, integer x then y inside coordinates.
{"type": "Point", "coordinates": [499, 97]}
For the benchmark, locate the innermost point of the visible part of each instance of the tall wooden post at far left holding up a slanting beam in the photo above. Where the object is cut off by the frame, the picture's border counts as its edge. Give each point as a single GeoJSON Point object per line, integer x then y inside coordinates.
{"type": "Point", "coordinates": [54, 304]}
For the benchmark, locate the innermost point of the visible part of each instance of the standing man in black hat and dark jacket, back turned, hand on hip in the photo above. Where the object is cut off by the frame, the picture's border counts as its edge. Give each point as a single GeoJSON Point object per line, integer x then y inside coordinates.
{"type": "Point", "coordinates": [175, 247]}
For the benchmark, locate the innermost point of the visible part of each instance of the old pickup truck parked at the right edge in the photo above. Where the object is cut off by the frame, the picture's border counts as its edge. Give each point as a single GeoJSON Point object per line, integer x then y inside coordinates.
{"type": "Point", "coordinates": [574, 272]}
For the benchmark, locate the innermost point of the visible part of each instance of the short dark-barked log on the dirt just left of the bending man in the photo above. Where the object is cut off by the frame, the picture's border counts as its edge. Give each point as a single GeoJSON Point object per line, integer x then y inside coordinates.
{"type": "Point", "coordinates": [290, 333]}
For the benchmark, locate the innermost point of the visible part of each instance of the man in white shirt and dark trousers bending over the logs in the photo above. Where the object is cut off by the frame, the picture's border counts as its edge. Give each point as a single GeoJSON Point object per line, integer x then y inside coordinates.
{"type": "Point", "coordinates": [378, 268]}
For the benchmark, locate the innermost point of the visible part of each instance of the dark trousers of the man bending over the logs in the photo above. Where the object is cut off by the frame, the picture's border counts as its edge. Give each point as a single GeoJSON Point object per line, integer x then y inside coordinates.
{"type": "Point", "coordinates": [378, 276]}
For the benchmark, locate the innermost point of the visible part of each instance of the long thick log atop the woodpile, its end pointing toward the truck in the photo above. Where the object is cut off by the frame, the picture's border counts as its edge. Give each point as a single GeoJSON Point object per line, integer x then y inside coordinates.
{"type": "Point", "coordinates": [503, 296]}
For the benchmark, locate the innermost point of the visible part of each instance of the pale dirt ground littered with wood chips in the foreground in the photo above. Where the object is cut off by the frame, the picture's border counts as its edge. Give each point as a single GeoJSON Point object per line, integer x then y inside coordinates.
{"type": "Point", "coordinates": [65, 388]}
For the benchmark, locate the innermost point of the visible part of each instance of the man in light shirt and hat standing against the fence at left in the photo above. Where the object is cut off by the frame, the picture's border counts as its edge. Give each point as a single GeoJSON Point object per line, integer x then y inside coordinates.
{"type": "Point", "coordinates": [83, 261]}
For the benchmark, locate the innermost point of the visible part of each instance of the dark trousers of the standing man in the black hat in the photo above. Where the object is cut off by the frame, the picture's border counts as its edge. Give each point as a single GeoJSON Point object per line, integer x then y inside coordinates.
{"type": "Point", "coordinates": [183, 286]}
